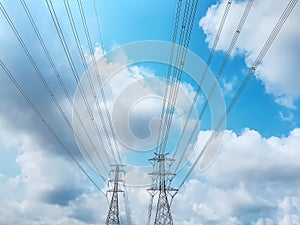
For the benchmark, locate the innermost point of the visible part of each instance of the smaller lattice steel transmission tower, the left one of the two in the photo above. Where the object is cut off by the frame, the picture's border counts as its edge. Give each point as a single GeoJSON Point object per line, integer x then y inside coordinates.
{"type": "Point", "coordinates": [117, 175]}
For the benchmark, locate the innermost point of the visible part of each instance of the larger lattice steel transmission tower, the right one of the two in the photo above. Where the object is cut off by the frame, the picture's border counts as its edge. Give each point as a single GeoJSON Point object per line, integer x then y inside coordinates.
{"type": "Point", "coordinates": [160, 177]}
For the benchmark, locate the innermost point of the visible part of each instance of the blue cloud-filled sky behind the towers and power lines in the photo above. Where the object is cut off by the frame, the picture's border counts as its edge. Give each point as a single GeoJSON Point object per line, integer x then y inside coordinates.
{"type": "Point", "coordinates": [252, 176]}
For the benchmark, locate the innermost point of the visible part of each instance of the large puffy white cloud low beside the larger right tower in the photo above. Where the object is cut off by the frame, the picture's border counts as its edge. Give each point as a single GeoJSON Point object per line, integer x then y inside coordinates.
{"type": "Point", "coordinates": [254, 180]}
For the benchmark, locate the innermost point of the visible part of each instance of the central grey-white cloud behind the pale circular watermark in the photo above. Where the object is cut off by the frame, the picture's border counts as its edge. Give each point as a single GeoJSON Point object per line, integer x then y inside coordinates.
{"type": "Point", "coordinates": [134, 99]}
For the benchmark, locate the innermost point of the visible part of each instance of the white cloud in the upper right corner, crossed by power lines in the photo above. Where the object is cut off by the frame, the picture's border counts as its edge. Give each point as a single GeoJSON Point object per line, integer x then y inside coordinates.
{"type": "Point", "coordinates": [279, 70]}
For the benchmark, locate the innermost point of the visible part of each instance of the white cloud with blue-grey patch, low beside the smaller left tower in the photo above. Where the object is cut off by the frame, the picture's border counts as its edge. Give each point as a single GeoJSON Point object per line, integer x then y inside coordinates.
{"type": "Point", "coordinates": [48, 190]}
